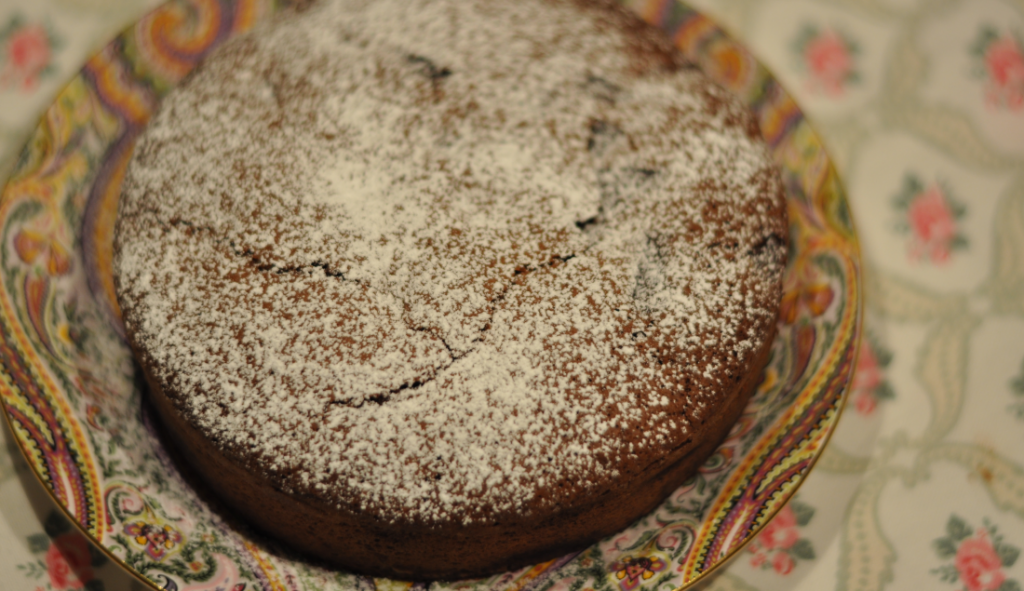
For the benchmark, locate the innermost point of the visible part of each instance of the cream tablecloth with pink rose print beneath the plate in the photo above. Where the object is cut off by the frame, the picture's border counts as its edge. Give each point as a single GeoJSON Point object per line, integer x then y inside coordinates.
{"type": "Point", "coordinates": [922, 106]}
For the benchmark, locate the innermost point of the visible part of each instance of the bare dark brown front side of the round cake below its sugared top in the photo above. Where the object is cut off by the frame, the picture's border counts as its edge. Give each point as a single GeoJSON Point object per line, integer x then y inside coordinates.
{"type": "Point", "coordinates": [361, 543]}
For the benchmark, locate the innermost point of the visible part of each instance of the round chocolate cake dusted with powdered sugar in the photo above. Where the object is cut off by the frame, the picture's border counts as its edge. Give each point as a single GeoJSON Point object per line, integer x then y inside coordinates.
{"type": "Point", "coordinates": [432, 289]}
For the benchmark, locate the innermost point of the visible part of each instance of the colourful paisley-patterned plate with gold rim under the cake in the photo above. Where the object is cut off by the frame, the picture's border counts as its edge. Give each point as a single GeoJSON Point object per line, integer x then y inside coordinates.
{"type": "Point", "coordinates": [73, 395]}
